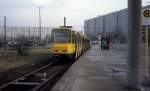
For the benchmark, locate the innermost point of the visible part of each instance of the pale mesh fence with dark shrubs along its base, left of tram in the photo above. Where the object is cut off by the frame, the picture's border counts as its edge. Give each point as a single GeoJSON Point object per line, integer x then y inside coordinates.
{"type": "Point", "coordinates": [29, 36]}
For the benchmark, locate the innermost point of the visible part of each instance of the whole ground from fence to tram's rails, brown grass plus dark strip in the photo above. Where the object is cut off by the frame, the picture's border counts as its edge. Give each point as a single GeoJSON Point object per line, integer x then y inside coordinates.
{"type": "Point", "coordinates": [13, 66]}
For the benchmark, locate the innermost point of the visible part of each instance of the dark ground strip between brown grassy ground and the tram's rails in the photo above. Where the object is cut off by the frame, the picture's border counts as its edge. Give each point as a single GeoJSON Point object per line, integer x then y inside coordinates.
{"type": "Point", "coordinates": [17, 72]}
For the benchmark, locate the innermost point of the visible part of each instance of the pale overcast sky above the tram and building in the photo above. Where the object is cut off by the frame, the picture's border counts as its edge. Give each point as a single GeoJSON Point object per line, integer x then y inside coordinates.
{"type": "Point", "coordinates": [25, 12]}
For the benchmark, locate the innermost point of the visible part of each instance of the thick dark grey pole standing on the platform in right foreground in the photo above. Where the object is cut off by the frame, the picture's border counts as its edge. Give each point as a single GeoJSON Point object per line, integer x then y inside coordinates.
{"type": "Point", "coordinates": [134, 23]}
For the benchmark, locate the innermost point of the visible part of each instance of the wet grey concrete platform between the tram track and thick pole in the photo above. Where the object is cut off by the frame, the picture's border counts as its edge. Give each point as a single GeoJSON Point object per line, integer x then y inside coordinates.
{"type": "Point", "coordinates": [95, 71]}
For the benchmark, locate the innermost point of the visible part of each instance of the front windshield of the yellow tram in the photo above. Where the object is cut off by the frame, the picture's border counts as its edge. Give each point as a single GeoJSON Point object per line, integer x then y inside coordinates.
{"type": "Point", "coordinates": [61, 37]}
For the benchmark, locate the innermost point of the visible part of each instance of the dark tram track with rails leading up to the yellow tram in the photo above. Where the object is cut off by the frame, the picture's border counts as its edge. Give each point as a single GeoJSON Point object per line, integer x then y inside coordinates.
{"type": "Point", "coordinates": [42, 79]}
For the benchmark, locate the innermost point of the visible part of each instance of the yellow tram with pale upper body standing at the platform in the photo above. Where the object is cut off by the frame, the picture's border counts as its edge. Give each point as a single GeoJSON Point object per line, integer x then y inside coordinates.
{"type": "Point", "coordinates": [65, 41]}
